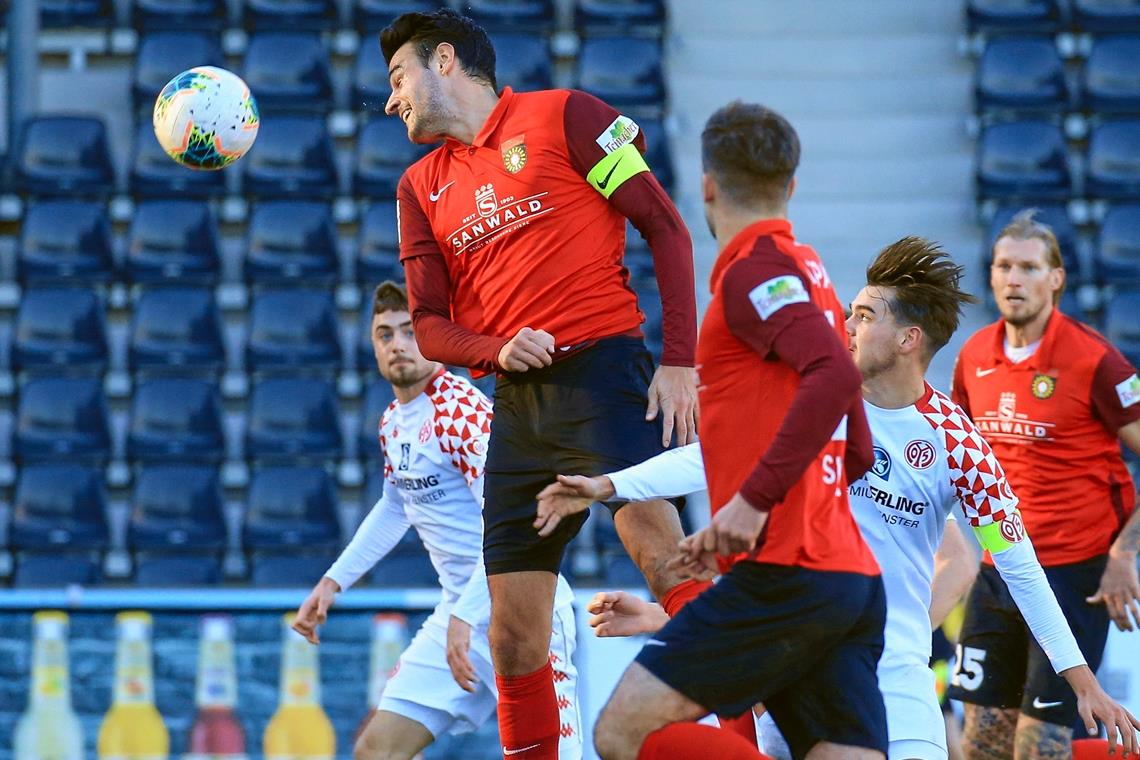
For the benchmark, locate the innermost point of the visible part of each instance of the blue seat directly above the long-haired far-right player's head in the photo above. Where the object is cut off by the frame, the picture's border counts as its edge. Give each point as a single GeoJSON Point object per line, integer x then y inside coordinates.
{"type": "Point", "coordinates": [1023, 160]}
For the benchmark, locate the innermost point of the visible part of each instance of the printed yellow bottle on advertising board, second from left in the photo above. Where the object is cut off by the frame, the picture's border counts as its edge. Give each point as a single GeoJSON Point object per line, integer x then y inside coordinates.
{"type": "Point", "coordinates": [133, 730]}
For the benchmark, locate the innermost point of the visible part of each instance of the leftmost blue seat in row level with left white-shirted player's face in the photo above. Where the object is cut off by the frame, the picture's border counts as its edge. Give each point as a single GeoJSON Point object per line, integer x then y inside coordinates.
{"type": "Point", "coordinates": [61, 332]}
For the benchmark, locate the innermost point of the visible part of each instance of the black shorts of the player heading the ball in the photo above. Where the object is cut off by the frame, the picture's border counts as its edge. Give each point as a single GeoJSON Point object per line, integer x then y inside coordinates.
{"type": "Point", "coordinates": [584, 415]}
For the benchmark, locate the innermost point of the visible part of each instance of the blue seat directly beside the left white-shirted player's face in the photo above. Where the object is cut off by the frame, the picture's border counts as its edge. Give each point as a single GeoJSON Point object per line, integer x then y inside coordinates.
{"type": "Point", "coordinates": [294, 332]}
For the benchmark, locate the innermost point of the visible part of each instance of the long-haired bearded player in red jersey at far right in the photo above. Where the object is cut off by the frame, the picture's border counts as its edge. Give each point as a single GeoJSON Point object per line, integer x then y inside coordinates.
{"type": "Point", "coordinates": [1055, 401]}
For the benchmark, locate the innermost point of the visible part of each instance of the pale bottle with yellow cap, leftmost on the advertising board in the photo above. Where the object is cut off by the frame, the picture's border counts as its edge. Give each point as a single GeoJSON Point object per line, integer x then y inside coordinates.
{"type": "Point", "coordinates": [50, 729]}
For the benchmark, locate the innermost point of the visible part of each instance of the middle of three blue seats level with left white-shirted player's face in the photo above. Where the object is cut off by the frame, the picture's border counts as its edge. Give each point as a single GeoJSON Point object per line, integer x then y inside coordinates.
{"type": "Point", "coordinates": [177, 331]}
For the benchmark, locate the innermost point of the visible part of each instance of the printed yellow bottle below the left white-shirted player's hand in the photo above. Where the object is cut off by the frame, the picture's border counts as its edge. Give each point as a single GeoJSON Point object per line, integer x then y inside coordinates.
{"type": "Point", "coordinates": [299, 730]}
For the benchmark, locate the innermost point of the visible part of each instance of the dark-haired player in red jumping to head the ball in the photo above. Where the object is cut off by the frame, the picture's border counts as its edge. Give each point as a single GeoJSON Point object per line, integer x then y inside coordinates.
{"type": "Point", "coordinates": [512, 235]}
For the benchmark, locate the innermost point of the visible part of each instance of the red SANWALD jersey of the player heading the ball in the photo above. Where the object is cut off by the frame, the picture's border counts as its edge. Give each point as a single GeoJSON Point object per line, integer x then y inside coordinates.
{"type": "Point", "coordinates": [526, 228]}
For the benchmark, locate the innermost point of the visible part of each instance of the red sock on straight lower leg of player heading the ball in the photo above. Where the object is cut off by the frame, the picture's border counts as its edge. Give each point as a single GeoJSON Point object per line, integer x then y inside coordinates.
{"type": "Point", "coordinates": [528, 714]}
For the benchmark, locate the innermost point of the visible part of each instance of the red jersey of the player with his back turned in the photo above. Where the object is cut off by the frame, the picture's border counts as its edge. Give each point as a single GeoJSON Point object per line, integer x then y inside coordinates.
{"type": "Point", "coordinates": [768, 289]}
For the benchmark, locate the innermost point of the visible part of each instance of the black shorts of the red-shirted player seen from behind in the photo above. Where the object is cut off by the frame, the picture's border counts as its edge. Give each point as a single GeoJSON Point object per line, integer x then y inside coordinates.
{"type": "Point", "coordinates": [805, 643]}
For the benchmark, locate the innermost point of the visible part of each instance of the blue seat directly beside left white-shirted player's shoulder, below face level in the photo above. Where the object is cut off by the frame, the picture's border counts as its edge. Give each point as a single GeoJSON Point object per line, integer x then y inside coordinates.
{"type": "Point", "coordinates": [294, 419]}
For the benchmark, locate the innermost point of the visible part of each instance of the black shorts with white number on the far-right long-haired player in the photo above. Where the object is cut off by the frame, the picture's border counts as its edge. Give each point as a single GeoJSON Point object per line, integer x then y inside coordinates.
{"type": "Point", "coordinates": [1000, 665]}
